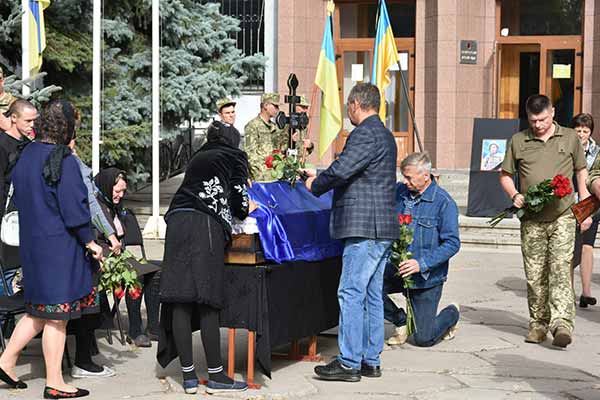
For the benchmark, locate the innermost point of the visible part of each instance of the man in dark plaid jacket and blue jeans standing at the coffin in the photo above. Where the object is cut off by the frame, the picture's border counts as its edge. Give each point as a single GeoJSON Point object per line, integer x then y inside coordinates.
{"type": "Point", "coordinates": [363, 180]}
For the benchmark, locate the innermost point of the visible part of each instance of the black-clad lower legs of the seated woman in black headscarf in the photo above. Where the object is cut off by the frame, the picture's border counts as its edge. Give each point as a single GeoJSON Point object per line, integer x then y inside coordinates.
{"type": "Point", "coordinates": [151, 287]}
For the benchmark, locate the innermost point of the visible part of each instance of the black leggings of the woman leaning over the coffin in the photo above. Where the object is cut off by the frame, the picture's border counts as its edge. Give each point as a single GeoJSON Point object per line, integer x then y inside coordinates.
{"type": "Point", "coordinates": [209, 327]}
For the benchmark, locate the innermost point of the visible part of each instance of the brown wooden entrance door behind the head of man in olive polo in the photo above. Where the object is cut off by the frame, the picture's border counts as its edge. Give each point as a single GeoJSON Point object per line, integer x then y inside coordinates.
{"type": "Point", "coordinates": [552, 66]}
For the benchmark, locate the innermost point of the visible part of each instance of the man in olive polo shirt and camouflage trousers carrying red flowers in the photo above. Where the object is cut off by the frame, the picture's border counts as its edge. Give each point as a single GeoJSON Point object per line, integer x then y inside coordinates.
{"type": "Point", "coordinates": [541, 152]}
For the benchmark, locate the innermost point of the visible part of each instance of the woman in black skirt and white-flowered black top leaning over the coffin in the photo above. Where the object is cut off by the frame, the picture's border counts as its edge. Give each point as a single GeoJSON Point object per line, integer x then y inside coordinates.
{"type": "Point", "coordinates": [198, 229]}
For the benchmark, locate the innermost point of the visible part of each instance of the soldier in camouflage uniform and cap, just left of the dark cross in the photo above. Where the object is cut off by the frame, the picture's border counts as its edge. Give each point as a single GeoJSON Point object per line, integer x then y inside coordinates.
{"type": "Point", "coordinates": [262, 137]}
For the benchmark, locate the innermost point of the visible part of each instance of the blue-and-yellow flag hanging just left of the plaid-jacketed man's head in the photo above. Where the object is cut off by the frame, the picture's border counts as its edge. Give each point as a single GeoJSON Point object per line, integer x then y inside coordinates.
{"type": "Point", "coordinates": [326, 80]}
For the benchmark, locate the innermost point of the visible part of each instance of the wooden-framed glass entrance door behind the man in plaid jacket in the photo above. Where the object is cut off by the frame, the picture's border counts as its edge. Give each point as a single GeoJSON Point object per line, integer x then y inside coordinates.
{"type": "Point", "coordinates": [354, 62]}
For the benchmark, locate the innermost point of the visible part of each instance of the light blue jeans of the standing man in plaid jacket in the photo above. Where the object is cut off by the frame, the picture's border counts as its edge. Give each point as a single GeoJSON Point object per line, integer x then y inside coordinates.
{"type": "Point", "coordinates": [361, 303]}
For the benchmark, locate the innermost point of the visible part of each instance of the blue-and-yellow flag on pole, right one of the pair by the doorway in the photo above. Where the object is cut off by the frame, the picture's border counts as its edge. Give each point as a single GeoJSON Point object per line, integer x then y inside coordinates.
{"type": "Point", "coordinates": [385, 55]}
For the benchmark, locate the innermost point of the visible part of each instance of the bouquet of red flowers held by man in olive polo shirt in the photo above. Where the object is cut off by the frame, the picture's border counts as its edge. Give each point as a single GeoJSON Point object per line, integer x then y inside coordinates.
{"type": "Point", "coordinates": [537, 197]}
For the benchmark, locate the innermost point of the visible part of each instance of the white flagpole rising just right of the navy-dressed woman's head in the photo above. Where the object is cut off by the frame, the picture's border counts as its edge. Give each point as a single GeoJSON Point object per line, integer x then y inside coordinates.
{"type": "Point", "coordinates": [96, 88]}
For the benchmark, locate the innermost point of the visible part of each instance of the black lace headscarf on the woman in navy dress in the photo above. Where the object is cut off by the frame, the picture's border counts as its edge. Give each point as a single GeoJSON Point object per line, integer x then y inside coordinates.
{"type": "Point", "coordinates": [53, 166]}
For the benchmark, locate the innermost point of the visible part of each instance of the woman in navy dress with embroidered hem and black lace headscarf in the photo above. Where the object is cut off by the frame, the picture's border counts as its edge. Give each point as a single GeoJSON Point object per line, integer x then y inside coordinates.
{"type": "Point", "coordinates": [55, 245]}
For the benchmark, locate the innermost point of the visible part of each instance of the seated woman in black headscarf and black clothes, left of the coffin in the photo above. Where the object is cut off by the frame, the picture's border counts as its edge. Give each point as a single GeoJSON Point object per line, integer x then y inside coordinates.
{"type": "Point", "coordinates": [112, 186]}
